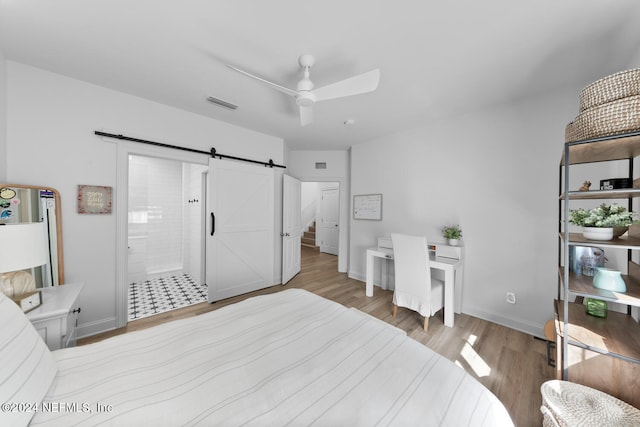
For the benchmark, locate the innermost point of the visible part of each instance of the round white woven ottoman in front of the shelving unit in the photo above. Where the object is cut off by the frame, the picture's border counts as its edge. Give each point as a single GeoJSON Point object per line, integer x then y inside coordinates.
{"type": "Point", "coordinates": [569, 404]}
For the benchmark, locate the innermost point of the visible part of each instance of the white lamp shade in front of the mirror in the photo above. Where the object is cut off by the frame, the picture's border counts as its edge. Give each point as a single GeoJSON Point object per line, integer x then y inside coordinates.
{"type": "Point", "coordinates": [23, 246]}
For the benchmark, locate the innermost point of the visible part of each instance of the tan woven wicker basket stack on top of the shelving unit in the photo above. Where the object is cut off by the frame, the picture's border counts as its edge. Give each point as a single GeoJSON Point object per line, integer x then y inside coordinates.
{"type": "Point", "coordinates": [605, 105]}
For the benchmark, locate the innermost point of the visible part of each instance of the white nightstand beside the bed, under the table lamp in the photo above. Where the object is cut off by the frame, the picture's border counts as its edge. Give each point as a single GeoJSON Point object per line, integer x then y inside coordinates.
{"type": "Point", "coordinates": [57, 317]}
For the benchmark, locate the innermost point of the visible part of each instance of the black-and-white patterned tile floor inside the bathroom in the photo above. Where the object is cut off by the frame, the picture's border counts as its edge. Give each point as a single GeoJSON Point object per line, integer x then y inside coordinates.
{"type": "Point", "coordinates": [156, 296]}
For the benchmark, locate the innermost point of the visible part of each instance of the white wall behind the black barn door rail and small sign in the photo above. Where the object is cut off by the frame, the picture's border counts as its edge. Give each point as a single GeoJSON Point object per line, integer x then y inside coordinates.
{"type": "Point", "coordinates": [50, 141]}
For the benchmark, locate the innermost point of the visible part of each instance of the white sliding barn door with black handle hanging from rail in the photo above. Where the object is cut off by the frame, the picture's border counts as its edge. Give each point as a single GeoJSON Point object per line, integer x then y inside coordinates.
{"type": "Point", "coordinates": [240, 241]}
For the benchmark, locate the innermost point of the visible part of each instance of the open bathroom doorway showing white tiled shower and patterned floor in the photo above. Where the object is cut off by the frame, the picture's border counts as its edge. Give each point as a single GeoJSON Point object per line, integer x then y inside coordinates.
{"type": "Point", "coordinates": [165, 238]}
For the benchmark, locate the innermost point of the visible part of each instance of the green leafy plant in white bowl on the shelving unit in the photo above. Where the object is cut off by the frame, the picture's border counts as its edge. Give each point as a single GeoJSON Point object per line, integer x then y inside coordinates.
{"type": "Point", "coordinates": [604, 222]}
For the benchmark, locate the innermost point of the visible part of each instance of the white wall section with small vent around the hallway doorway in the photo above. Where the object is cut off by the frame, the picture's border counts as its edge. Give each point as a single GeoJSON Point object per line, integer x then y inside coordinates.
{"type": "Point", "coordinates": [301, 165]}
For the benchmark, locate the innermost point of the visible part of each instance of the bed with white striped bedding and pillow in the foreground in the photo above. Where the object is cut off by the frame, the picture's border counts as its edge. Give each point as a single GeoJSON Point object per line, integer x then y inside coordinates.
{"type": "Point", "coordinates": [288, 358]}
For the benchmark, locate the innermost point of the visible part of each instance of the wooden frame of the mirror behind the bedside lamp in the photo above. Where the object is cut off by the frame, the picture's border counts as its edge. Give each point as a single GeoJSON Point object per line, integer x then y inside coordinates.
{"type": "Point", "coordinates": [57, 244]}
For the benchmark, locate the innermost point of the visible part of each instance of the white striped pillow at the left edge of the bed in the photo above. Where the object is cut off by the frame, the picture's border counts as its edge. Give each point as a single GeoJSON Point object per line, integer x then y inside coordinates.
{"type": "Point", "coordinates": [27, 367]}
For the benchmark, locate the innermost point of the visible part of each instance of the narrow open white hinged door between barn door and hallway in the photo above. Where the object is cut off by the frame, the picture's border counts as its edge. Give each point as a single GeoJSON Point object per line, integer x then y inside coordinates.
{"type": "Point", "coordinates": [291, 227]}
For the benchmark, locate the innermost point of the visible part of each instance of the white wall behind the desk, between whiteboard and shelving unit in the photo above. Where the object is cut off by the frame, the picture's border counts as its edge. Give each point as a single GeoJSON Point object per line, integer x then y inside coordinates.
{"type": "Point", "coordinates": [495, 173]}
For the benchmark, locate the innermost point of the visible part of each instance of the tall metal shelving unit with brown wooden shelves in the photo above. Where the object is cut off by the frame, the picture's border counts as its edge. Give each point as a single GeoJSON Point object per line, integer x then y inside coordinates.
{"type": "Point", "coordinates": [618, 335]}
